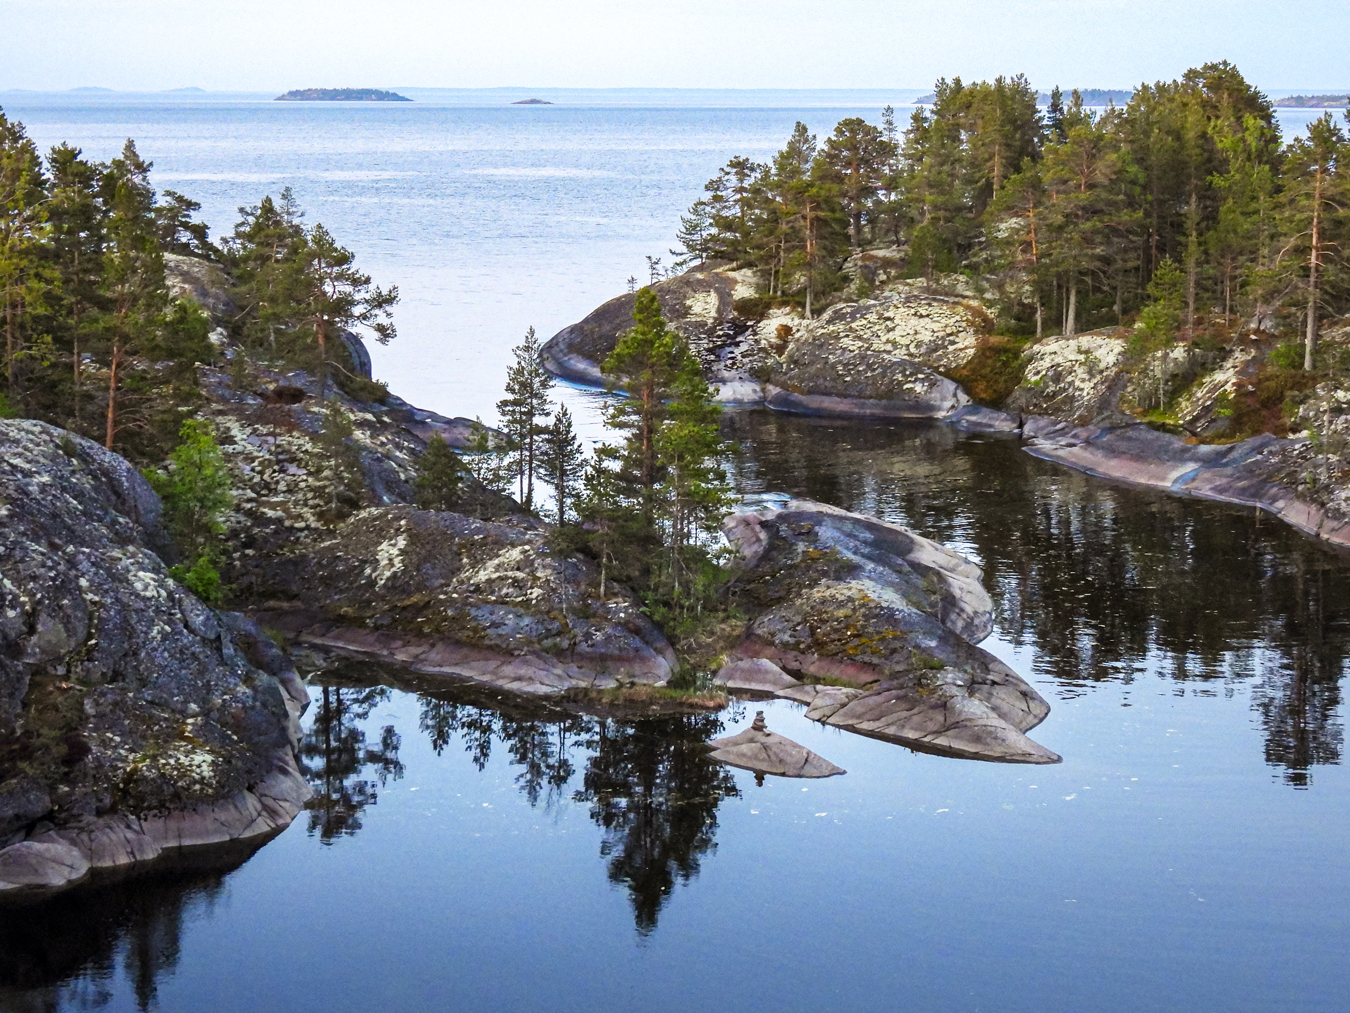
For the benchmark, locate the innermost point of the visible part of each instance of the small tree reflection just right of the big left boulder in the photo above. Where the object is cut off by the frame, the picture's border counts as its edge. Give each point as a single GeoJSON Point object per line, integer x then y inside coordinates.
{"type": "Point", "coordinates": [335, 757]}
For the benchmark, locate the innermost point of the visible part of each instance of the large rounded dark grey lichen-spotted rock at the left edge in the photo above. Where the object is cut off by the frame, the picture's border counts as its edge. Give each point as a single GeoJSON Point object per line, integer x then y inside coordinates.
{"type": "Point", "coordinates": [133, 717]}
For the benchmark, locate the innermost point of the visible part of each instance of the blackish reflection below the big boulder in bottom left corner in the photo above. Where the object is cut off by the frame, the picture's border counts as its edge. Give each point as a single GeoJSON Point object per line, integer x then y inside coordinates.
{"type": "Point", "coordinates": [63, 954]}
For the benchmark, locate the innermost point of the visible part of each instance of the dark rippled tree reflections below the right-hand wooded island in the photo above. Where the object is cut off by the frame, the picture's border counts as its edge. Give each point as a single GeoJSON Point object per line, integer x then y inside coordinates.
{"type": "Point", "coordinates": [1105, 581]}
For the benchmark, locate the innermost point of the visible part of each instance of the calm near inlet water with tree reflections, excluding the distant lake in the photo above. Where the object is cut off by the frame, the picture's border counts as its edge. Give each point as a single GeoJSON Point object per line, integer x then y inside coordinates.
{"type": "Point", "coordinates": [466, 853]}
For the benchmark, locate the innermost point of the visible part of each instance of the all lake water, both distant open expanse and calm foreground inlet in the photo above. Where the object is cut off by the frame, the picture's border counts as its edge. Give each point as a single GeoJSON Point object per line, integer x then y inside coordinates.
{"type": "Point", "coordinates": [468, 853]}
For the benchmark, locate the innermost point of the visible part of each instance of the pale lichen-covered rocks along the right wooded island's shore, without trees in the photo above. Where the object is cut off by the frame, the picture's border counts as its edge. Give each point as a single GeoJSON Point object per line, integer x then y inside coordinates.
{"type": "Point", "coordinates": [894, 356]}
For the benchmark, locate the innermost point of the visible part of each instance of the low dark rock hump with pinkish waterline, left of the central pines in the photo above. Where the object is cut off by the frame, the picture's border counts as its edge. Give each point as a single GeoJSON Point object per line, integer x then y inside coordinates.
{"type": "Point", "coordinates": [448, 595]}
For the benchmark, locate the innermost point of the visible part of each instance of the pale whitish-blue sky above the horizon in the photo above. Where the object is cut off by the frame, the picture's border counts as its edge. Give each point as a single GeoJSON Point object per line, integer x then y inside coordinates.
{"type": "Point", "coordinates": [277, 45]}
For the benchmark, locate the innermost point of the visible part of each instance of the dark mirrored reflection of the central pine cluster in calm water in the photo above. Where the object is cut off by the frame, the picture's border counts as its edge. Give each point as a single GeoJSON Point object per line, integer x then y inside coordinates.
{"type": "Point", "coordinates": [650, 785]}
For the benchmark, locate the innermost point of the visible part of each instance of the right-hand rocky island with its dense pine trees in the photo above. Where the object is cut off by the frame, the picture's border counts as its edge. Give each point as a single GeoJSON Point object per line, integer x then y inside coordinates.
{"type": "Point", "coordinates": [1154, 292]}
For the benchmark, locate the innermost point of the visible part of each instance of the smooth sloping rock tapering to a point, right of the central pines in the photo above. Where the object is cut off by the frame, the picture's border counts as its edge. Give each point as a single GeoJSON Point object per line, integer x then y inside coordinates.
{"type": "Point", "coordinates": [875, 625]}
